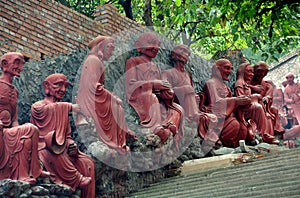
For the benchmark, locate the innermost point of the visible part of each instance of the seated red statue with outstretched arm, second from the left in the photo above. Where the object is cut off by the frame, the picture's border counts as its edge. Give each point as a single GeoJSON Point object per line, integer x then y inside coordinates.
{"type": "Point", "coordinates": [57, 150]}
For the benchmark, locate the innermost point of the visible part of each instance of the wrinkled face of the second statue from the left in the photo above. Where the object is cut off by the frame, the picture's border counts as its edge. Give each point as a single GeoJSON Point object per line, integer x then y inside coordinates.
{"type": "Point", "coordinates": [57, 88]}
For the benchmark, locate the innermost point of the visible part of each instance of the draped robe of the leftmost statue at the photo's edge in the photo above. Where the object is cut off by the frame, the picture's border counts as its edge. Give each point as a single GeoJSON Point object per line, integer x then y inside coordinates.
{"type": "Point", "coordinates": [18, 144]}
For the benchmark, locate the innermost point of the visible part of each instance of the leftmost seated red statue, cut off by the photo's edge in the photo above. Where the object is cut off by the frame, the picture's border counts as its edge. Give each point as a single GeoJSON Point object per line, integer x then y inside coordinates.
{"type": "Point", "coordinates": [18, 143]}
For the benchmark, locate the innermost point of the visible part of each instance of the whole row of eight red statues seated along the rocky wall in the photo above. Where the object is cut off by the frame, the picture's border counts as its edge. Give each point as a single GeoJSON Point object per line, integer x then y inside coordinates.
{"type": "Point", "coordinates": [161, 99]}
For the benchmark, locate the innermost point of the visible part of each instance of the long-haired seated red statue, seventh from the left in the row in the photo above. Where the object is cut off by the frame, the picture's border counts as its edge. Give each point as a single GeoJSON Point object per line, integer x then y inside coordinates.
{"type": "Point", "coordinates": [256, 110]}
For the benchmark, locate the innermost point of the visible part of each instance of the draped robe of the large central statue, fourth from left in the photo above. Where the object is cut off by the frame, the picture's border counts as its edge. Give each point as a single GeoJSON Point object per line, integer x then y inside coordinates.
{"type": "Point", "coordinates": [154, 107]}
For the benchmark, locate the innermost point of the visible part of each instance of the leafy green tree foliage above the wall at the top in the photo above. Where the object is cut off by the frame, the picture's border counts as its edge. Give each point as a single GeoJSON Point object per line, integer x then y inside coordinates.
{"type": "Point", "coordinates": [269, 28]}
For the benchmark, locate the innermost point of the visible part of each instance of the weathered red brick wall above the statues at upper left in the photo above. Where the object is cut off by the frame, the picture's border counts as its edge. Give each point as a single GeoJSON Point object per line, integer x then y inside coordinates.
{"type": "Point", "coordinates": [40, 28]}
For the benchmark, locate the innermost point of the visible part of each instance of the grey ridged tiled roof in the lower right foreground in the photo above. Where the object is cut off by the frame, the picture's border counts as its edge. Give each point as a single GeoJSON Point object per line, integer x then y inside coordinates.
{"type": "Point", "coordinates": [275, 175]}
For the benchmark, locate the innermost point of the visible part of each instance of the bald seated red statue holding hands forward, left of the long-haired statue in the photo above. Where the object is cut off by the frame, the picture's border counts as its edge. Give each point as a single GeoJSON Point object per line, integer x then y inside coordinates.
{"type": "Point", "coordinates": [220, 101]}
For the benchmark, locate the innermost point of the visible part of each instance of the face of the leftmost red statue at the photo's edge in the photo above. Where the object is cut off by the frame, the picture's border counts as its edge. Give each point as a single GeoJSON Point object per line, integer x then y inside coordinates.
{"type": "Point", "coordinates": [14, 65]}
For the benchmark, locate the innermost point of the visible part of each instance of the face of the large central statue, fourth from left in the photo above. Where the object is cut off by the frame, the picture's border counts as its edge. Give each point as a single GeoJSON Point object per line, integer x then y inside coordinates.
{"type": "Point", "coordinates": [150, 47]}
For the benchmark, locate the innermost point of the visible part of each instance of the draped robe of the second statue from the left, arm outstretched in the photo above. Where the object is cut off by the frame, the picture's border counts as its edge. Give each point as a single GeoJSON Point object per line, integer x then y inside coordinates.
{"type": "Point", "coordinates": [52, 119]}
